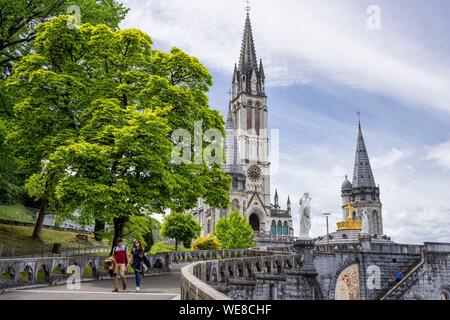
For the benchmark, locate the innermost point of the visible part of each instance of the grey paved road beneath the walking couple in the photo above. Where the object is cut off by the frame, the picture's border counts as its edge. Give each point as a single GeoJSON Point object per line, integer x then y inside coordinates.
{"type": "Point", "coordinates": [161, 287]}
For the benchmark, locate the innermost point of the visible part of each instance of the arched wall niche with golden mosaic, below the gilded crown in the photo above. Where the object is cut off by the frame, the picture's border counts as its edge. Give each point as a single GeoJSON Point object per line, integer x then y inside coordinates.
{"type": "Point", "coordinates": [348, 284]}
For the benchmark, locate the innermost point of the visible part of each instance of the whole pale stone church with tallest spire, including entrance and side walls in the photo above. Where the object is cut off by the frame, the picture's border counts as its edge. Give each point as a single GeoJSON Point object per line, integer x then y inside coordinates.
{"type": "Point", "coordinates": [247, 152]}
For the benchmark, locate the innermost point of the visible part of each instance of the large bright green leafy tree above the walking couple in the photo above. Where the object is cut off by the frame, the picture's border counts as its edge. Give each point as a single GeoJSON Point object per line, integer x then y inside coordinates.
{"type": "Point", "coordinates": [98, 110]}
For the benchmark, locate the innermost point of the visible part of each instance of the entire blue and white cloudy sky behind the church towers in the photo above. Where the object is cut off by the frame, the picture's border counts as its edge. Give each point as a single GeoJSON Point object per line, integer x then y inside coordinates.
{"type": "Point", "coordinates": [323, 63]}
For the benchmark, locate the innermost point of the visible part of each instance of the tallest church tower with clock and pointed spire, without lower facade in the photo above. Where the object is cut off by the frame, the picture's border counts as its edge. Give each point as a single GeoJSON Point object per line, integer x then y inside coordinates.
{"type": "Point", "coordinates": [248, 108]}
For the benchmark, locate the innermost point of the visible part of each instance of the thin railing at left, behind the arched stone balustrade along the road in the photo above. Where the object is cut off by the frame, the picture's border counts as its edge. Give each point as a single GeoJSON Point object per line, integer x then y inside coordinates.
{"type": "Point", "coordinates": [41, 251]}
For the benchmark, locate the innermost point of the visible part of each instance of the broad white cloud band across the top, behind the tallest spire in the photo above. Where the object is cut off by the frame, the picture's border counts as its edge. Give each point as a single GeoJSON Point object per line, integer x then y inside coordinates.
{"type": "Point", "coordinates": [318, 41]}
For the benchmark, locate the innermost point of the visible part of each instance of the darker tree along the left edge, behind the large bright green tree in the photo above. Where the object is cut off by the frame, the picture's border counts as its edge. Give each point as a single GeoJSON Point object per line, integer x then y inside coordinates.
{"type": "Point", "coordinates": [18, 21]}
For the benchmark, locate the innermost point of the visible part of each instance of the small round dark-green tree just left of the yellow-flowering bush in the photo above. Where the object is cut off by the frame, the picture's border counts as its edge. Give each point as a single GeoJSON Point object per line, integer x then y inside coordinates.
{"type": "Point", "coordinates": [182, 227]}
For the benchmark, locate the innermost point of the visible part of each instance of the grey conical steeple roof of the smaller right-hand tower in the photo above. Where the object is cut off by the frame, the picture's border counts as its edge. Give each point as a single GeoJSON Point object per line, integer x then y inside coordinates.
{"type": "Point", "coordinates": [362, 174]}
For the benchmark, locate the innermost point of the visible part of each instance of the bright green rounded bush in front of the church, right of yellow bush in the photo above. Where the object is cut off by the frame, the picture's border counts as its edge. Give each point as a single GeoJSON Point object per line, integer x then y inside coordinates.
{"type": "Point", "coordinates": [235, 232]}
